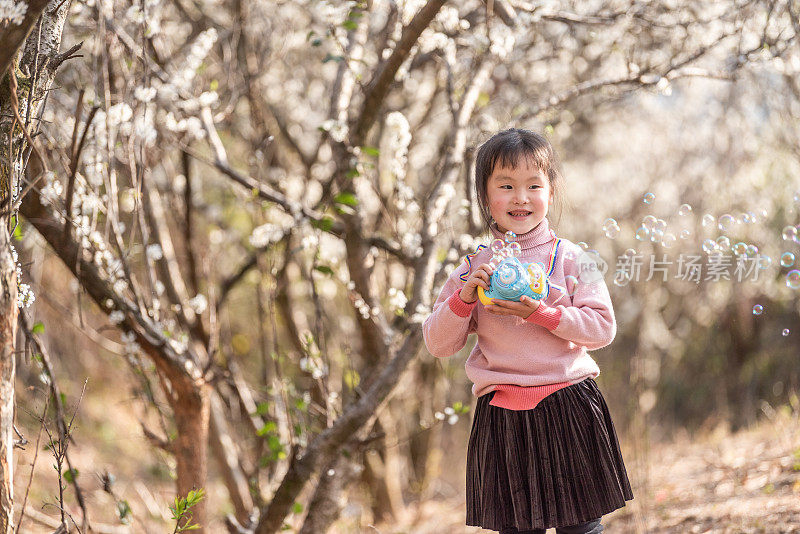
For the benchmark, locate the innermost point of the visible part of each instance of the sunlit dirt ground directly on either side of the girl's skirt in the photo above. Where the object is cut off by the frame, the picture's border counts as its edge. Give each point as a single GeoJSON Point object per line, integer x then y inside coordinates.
{"type": "Point", "coordinates": [747, 482]}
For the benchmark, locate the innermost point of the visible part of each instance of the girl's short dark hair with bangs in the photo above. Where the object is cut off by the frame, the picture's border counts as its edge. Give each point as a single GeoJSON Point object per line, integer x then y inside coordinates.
{"type": "Point", "coordinates": [505, 149]}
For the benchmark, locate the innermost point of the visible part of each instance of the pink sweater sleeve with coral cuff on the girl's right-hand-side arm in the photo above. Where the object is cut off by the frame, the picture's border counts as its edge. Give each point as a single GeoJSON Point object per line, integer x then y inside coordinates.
{"type": "Point", "coordinates": [589, 321]}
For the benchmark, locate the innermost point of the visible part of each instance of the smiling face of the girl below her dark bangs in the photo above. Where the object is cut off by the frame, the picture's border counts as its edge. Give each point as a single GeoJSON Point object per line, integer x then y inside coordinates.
{"type": "Point", "coordinates": [518, 198]}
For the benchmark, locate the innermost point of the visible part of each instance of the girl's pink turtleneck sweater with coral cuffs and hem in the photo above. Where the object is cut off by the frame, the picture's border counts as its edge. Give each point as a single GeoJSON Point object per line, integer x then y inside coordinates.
{"type": "Point", "coordinates": [526, 359]}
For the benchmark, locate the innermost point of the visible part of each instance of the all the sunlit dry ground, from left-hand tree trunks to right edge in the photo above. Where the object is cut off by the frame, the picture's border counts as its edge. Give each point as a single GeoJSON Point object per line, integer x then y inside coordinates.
{"type": "Point", "coordinates": [713, 481]}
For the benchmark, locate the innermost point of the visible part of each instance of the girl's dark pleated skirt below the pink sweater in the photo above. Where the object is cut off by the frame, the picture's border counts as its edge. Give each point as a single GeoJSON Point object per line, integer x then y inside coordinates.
{"type": "Point", "coordinates": [556, 465]}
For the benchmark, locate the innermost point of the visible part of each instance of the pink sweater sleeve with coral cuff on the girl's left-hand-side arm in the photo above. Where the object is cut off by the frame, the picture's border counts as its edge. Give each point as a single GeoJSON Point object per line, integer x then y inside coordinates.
{"type": "Point", "coordinates": [446, 329]}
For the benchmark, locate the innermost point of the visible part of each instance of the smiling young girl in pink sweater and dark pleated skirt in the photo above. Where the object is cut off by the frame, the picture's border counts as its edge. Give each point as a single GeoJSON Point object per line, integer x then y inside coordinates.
{"type": "Point", "coordinates": [543, 451]}
